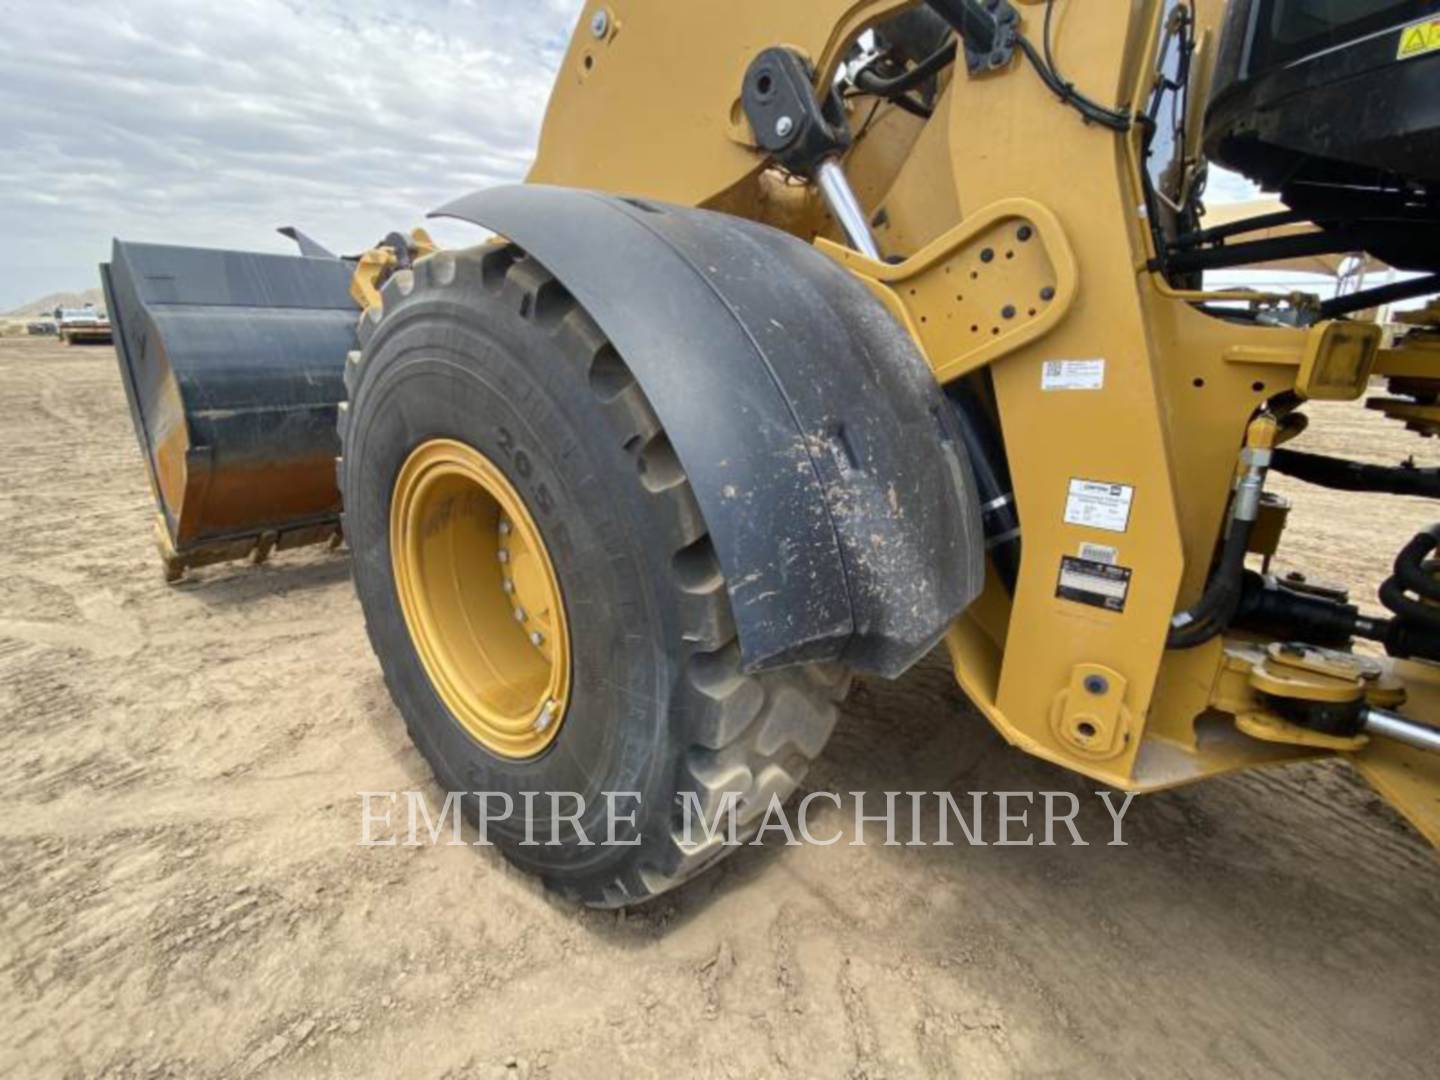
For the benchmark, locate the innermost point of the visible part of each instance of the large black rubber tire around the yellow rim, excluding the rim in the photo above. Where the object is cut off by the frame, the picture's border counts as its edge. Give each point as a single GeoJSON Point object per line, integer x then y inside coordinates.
{"type": "Point", "coordinates": [486, 348]}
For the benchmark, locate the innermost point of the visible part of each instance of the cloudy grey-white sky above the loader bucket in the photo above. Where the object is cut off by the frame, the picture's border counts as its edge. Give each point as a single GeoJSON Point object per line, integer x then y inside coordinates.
{"type": "Point", "coordinates": [214, 122]}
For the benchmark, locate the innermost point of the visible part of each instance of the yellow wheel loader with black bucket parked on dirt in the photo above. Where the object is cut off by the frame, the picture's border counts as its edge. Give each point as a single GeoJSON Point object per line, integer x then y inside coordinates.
{"type": "Point", "coordinates": [823, 335]}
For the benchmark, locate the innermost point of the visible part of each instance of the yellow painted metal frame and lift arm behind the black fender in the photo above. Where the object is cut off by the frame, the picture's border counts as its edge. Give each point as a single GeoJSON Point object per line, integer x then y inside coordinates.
{"type": "Point", "coordinates": [649, 104]}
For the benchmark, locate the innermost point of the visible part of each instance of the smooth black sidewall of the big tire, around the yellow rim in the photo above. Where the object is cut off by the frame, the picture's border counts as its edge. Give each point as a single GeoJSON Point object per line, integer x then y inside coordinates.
{"type": "Point", "coordinates": [480, 374]}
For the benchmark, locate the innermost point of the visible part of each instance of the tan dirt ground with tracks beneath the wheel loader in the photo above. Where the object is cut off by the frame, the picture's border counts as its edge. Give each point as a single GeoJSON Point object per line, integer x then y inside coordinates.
{"type": "Point", "coordinates": [185, 894]}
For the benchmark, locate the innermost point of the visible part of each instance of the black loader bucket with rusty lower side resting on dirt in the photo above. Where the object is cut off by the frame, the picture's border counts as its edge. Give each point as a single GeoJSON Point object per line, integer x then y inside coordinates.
{"type": "Point", "coordinates": [234, 366]}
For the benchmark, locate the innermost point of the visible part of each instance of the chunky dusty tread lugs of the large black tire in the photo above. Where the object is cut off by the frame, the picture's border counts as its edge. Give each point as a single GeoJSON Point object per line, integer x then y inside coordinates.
{"type": "Point", "coordinates": [751, 734]}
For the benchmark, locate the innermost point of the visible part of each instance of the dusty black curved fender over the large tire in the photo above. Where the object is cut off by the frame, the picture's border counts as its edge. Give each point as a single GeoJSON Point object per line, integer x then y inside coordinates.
{"type": "Point", "coordinates": [823, 454]}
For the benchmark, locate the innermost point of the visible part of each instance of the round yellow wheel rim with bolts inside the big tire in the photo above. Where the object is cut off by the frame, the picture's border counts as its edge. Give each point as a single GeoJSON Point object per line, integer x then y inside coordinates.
{"type": "Point", "coordinates": [480, 598]}
